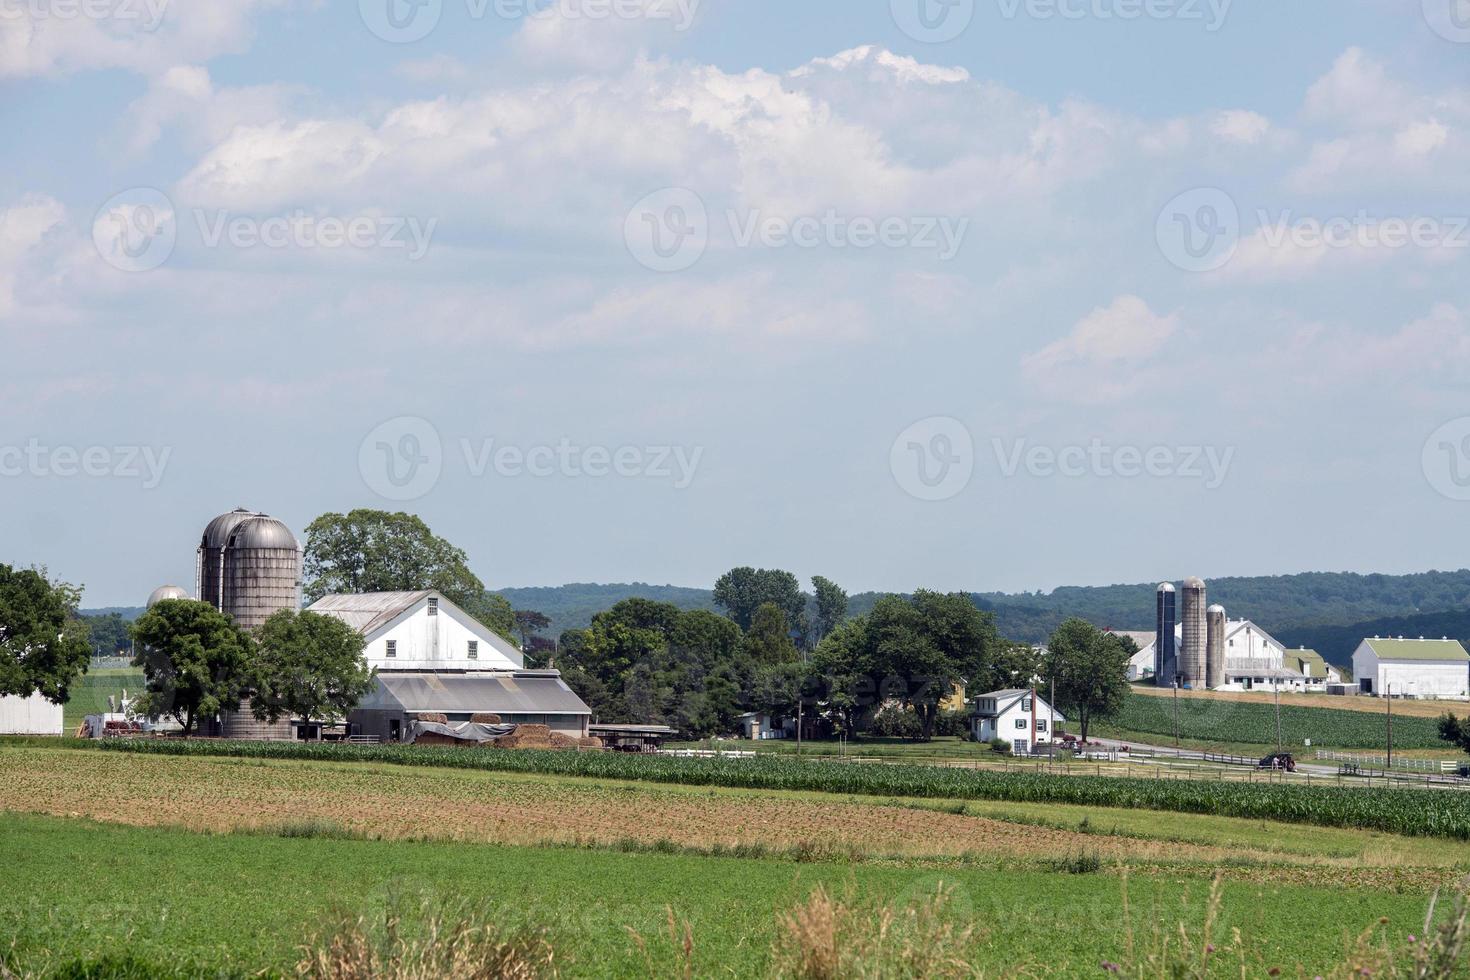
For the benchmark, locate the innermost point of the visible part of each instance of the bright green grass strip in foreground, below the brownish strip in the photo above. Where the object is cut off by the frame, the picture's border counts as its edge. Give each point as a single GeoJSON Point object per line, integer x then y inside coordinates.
{"type": "Point", "coordinates": [240, 904]}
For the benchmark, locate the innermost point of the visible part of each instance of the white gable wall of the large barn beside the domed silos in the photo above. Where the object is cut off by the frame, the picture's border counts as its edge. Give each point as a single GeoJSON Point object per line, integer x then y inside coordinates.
{"type": "Point", "coordinates": [440, 643]}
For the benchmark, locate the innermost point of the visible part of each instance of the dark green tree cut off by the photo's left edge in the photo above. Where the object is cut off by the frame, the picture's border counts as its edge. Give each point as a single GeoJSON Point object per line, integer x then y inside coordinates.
{"type": "Point", "coordinates": [43, 644]}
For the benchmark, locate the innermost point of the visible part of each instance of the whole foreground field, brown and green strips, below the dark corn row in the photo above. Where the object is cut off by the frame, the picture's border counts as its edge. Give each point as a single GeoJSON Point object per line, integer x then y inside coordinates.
{"type": "Point", "coordinates": [236, 863]}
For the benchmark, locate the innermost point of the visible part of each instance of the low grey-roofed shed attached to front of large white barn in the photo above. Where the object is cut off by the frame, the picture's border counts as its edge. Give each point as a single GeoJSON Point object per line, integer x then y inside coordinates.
{"type": "Point", "coordinates": [520, 697]}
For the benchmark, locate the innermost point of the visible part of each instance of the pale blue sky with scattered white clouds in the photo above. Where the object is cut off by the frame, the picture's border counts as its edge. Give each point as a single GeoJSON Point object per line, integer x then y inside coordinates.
{"type": "Point", "coordinates": [986, 295]}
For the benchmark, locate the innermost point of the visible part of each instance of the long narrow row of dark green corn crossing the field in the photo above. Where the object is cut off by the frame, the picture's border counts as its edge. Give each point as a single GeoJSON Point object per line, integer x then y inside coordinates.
{"type": "Point", "coordinates": [1406, 812]}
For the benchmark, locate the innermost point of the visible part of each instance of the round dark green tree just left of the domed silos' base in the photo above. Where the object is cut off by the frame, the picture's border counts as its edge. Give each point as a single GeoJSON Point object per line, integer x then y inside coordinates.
{"type": "Point", "coordinates": [196, 662]}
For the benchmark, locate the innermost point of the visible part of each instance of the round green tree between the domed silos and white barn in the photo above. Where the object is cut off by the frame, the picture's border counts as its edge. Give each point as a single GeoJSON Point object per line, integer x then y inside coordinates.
{"type": "Point", "coordinates": [308, 666]}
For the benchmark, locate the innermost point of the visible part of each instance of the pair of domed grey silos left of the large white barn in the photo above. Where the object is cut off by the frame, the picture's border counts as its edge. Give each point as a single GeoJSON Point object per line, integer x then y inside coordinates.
{"type": "Point", "coordinates": [249, 566]}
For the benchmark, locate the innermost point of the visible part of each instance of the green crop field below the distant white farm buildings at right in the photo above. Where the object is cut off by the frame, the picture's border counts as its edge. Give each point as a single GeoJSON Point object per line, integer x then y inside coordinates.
{"type": "Point", "coordinates": [1250, 724]}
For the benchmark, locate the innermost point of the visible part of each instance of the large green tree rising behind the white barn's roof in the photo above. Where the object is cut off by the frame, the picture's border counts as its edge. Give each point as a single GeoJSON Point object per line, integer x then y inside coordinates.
{"type": "Point", "coordinates": [377, 552]}
